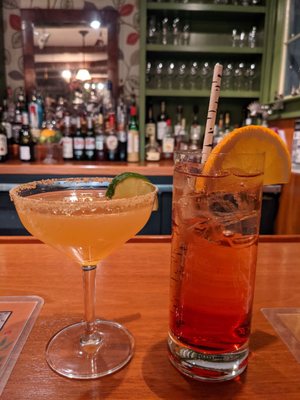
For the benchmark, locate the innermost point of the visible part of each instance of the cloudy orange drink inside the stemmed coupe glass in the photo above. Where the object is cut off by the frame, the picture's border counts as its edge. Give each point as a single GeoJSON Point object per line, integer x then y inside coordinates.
{"type": "Point", "coordinates": [87, 234]}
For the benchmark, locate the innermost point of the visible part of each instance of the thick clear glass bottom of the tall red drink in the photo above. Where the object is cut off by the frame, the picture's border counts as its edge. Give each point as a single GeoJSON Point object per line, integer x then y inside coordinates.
{"type": "Point", "coordinates": [207, 366]}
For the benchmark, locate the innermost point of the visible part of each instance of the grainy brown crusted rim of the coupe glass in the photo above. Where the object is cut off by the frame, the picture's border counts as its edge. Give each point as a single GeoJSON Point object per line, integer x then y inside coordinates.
{"type": "Point", "coordinates": [113, 203]}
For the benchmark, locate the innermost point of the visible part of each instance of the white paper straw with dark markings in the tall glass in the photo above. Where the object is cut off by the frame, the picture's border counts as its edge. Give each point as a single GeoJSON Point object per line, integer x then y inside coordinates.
{"type": "Point", "coordinates": [212, 112]}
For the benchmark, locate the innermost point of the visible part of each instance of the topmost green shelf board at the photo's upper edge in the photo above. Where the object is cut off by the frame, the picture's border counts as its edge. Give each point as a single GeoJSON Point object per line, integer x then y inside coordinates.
{"type": "Point", "coordinates": [220, 8]}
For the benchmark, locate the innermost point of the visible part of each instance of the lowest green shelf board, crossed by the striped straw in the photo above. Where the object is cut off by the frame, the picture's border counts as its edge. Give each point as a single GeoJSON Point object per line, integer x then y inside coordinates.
{"type": "Point", "coordinates": [245, 94]}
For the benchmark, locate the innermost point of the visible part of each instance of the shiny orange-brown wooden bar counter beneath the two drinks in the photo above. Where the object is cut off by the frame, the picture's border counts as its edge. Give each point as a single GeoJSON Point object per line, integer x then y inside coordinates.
{"type": "Point", "coordinates": [132, 288]}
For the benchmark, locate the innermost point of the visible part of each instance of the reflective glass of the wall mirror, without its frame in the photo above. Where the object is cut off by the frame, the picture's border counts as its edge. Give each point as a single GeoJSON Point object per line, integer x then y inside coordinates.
{"type": "Point", "coordinates": [59, 56]}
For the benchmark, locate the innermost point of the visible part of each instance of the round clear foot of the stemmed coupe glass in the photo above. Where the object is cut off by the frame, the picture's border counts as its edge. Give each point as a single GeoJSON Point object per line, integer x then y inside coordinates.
{"type": "Point", "coordinates": [66, 356]}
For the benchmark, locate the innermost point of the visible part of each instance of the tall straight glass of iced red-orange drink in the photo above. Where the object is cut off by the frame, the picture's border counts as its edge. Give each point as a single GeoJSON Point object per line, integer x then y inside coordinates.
{"type": "Point", "coordinates": [216, 217]}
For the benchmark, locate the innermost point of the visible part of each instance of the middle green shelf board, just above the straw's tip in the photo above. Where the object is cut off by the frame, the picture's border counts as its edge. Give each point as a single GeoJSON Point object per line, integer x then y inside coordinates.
{"type": "Point", "coordinates": [161, 48]}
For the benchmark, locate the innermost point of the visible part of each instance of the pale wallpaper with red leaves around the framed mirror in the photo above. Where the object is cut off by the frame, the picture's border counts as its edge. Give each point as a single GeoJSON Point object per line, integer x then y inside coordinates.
{"type": "Point", "coordinates": [128, 36]}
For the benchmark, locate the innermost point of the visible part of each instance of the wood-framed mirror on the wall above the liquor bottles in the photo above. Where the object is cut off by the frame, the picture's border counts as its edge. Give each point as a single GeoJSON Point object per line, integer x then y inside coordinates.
{"type": "Point", "coordinates": [57, 44]}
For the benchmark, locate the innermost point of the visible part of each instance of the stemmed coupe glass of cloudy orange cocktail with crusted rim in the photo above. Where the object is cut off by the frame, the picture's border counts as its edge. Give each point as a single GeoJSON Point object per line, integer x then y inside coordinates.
{"type": "Point", "coordinates": [74, 216]}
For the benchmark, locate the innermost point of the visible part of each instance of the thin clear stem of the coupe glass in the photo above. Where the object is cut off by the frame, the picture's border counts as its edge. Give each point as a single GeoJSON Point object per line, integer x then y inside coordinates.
{"type": "Point", "coordinates": [91, 336]}
